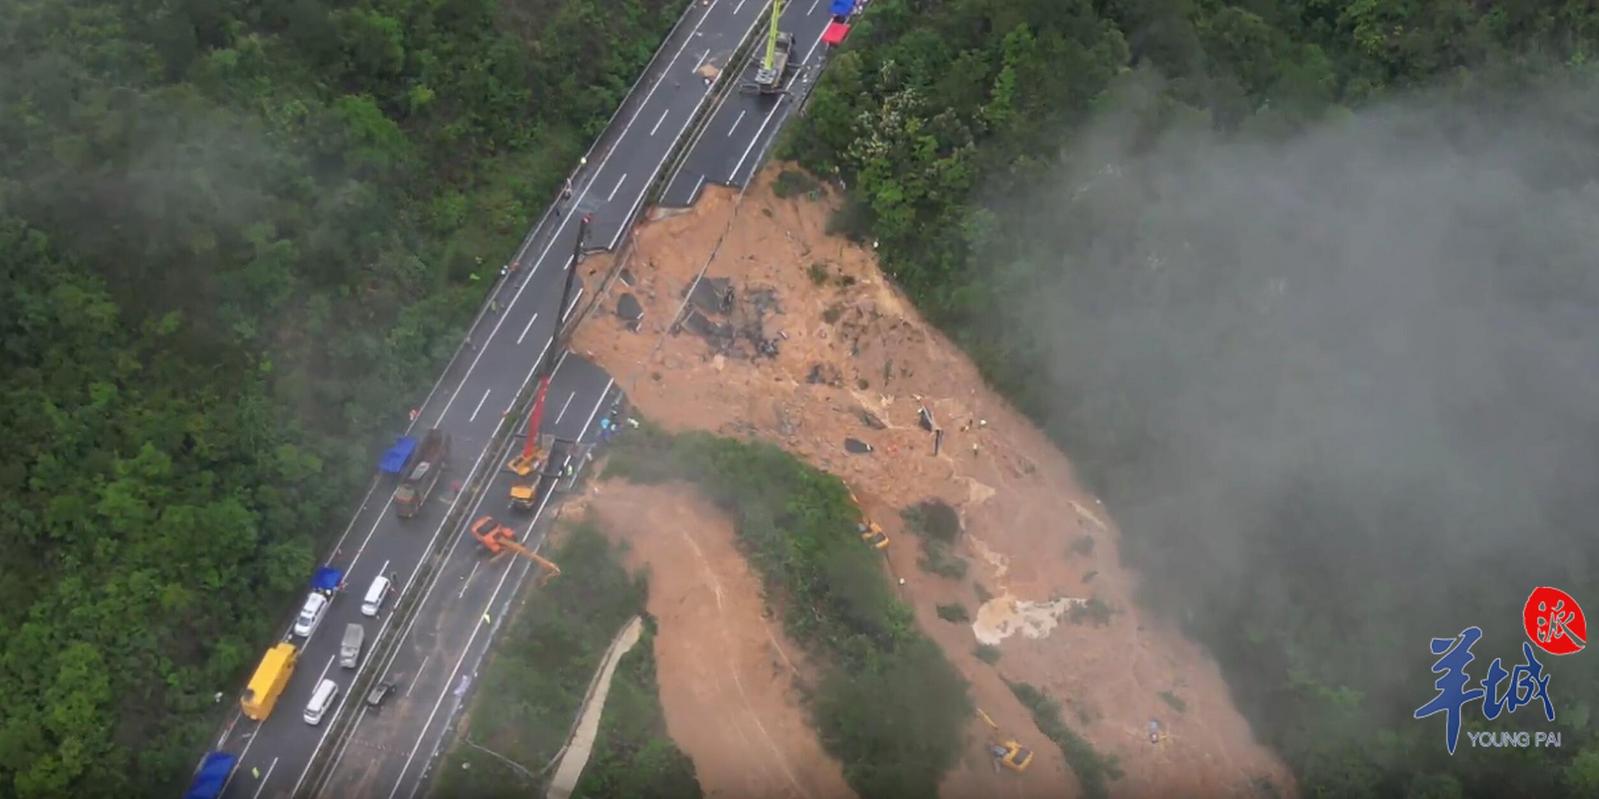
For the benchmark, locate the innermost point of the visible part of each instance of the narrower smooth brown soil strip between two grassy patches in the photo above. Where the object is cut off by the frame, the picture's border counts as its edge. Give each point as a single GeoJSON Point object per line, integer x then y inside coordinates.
{"type": "Point", "coordinates": [727, 675]}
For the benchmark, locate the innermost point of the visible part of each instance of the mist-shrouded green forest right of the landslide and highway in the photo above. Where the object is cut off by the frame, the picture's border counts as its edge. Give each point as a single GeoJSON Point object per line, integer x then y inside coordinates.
{"type": "Point", "coordinates": [1302, 287]}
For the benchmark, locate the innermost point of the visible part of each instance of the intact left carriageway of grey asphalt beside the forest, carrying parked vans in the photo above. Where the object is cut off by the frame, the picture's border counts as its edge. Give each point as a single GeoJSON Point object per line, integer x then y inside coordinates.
{"type": "Point", "coordinates": [485, 378]}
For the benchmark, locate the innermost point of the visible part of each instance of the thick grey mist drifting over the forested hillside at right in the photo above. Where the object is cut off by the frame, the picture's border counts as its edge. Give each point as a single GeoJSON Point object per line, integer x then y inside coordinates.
{"type": "Point", "coordinates": [1342, 388]}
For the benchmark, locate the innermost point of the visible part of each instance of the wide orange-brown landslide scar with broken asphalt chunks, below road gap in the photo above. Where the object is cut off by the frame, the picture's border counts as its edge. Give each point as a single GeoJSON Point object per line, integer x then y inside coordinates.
{"type": "Point", "coordinates": [851, 344]}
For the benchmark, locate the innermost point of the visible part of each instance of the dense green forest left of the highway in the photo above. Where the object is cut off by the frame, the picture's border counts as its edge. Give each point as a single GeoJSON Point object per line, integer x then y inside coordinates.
{"type": "Point", "coordinates": [236, 242]}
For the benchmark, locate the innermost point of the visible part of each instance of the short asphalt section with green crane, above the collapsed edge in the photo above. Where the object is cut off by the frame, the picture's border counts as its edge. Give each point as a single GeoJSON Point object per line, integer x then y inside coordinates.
{"type": "Point", "coordinates": [730, 148]}
